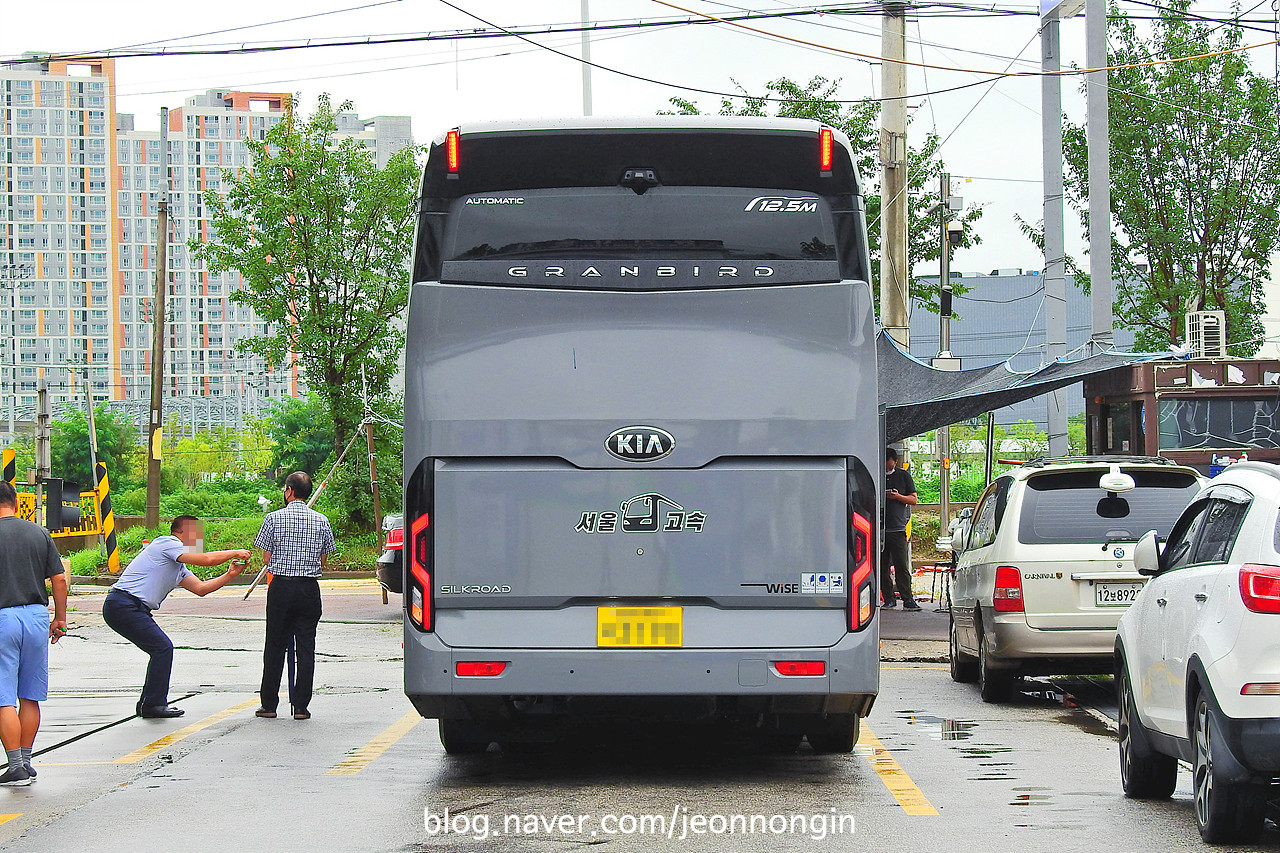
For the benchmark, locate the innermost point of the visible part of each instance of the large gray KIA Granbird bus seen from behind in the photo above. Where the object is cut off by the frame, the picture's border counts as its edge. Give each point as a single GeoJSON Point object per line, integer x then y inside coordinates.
{"type": "Point", "coordinates": [642, 432]}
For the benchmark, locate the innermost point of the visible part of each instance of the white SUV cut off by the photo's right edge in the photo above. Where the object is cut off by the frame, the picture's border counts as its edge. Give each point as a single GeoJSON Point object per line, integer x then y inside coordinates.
{"type": "Point", "coordinates": [1199, 656]}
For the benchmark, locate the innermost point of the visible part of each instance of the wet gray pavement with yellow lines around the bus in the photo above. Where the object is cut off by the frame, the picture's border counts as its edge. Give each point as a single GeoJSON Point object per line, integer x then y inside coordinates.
{"type": "Point", "coordinates": [936, 769]}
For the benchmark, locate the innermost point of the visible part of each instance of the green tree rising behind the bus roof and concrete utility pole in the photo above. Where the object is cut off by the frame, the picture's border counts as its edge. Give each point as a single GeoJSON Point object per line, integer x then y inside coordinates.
{"type": "Point", "coordinates": [860, 122]}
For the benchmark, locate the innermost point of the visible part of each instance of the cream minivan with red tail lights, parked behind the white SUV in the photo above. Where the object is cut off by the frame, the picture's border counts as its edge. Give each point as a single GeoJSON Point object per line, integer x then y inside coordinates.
{"type": "Point", "coordinates": [1048, 565]}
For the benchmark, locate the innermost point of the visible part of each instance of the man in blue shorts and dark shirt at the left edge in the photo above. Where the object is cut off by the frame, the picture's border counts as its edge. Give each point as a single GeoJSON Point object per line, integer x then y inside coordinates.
{"type": "Point", "coordinates": [28, 560]}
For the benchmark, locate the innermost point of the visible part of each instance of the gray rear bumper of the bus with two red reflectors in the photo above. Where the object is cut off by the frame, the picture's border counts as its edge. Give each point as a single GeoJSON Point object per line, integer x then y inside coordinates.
{"type": "Point", "coordinates": [688, 683]}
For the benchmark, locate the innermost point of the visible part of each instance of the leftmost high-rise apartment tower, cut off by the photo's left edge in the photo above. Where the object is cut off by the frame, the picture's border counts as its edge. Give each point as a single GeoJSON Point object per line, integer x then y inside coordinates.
{"type": "Point", "coordinates": [57, 216]}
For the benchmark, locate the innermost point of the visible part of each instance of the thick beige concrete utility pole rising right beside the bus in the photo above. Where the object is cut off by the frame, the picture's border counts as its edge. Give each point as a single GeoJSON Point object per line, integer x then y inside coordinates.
{"type": "Point", "coordinates": [895, 273]}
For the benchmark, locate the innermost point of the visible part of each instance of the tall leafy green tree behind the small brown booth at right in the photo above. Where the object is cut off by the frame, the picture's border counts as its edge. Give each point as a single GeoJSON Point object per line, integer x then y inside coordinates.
{"type": "Point", "coordinates": [1195, 177]}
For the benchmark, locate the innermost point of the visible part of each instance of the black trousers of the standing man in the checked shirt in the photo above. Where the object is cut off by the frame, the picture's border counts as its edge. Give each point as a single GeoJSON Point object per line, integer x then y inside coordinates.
{"type": "Point", "coordinates": [292, 610]}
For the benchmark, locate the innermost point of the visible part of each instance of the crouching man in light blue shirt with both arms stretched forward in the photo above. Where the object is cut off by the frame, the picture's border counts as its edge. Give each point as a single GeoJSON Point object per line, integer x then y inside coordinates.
{"type": "Point", "coordinates": [143, 589]}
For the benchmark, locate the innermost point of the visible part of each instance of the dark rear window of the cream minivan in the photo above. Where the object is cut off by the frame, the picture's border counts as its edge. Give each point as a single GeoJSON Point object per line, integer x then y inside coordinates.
{"type": "Point", "coordinates": [1069, 508]}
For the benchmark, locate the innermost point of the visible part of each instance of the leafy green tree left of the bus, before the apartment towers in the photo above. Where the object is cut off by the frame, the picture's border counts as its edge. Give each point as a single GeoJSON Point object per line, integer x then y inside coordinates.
{"type": "Point", "coordinates": [322, 238]}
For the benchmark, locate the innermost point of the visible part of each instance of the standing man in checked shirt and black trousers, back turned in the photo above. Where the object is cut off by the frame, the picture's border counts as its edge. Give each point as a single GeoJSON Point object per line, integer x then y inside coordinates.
{"type": "Point", "coordinates": [296, 544]}
